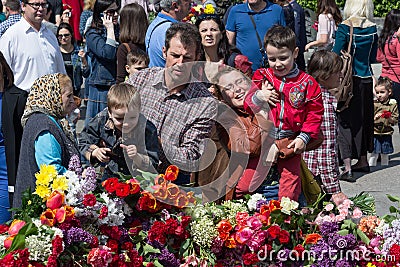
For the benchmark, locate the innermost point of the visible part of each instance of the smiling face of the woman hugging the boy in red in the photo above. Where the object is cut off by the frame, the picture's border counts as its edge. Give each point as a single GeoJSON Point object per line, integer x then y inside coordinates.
{"type": "Point", "coordinates": [234, 87]}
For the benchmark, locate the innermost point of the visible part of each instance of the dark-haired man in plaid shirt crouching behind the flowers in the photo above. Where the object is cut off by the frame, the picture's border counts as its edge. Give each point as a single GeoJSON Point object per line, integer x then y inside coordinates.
{"type": "Point", "coordinates": [181, 108]}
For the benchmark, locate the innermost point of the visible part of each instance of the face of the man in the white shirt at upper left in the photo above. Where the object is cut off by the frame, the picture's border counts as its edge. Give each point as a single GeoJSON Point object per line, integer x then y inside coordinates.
{"type": "Point", "coordinates": [35, 11]}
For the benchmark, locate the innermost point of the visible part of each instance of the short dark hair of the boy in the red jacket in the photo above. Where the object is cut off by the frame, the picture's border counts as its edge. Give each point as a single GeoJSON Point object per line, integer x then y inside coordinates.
{"type": "Point", "coordinates": [280, 36]}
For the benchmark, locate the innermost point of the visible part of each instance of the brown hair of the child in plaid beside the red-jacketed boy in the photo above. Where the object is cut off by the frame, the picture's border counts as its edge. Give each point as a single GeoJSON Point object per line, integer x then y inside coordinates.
{"type": "Point", "coordinates": [323, 64]}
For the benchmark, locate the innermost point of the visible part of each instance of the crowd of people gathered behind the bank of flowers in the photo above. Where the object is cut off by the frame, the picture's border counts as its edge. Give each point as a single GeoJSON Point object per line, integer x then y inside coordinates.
{"type": "Point", "coordinates": [231, 104]}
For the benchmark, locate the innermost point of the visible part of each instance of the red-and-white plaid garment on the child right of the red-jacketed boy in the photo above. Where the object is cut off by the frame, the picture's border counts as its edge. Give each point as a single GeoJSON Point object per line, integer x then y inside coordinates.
{"type": "Point", "coordinates": [324, 160]}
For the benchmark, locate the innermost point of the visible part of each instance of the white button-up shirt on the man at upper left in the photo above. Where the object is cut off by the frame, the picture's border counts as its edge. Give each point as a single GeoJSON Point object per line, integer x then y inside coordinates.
{"type": "Point", "coordinates": [30, 53]}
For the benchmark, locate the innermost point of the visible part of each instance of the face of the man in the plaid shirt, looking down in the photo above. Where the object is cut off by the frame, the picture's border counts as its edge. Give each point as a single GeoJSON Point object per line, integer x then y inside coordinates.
{"type": "Point", "coordinates": [177, 54]}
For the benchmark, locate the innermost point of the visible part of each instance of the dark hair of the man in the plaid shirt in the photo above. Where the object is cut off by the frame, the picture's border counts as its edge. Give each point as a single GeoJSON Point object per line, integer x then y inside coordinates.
{"type": "Point", "coordinates": [187, 33]}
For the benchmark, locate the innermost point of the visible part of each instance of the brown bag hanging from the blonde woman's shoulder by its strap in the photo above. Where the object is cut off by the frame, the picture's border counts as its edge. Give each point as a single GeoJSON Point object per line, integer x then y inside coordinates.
{"type": "Point", "coordinates": [344, 92]}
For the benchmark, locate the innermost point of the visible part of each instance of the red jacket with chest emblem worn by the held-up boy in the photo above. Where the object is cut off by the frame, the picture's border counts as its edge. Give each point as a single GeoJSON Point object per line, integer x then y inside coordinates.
{"type": "Point", "coordinates": [300, 108]}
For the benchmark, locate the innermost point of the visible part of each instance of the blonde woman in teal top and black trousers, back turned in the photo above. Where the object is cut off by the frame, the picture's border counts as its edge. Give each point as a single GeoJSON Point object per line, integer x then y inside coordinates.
{"type": "Point", "coordinates": [356, 123]}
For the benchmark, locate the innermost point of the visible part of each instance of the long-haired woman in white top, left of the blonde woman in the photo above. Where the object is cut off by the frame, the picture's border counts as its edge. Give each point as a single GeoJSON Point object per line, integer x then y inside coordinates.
{"type": "Point", "coordinates": [329, 18]}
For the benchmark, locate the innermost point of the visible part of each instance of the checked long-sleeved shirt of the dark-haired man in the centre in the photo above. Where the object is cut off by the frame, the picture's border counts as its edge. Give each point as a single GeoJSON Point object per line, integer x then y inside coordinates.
{"type": "Point", "coordinates": [183, 120]}
